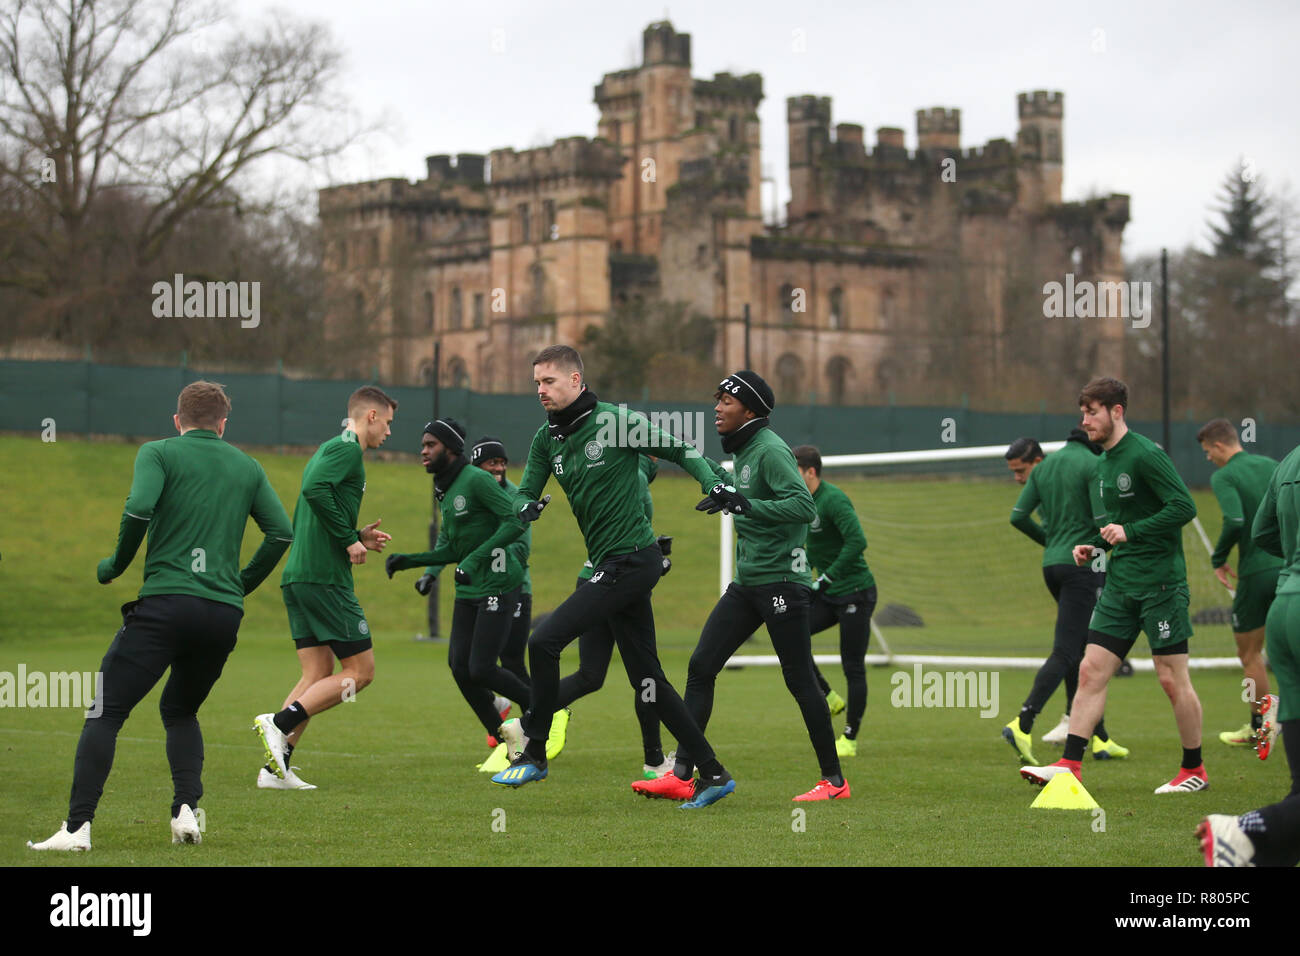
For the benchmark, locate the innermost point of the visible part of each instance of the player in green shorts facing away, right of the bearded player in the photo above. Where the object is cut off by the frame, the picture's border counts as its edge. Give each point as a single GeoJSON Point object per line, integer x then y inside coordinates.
{"type": "Point", "coordinates": [1240, 485]}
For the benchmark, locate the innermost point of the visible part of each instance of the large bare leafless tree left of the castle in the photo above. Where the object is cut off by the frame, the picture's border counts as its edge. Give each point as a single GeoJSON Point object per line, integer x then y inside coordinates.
{"type": "Point", "coordinates": [157, 102]}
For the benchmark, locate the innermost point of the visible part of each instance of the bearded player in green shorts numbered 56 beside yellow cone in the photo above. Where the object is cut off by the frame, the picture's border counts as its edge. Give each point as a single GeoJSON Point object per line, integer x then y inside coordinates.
{"type": "Point", "coordinates": [1146, 505]}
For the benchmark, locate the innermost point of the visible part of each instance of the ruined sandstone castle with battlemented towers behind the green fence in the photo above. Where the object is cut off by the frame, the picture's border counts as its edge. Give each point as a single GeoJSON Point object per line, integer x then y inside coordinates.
{"type": "Point", "coordinates": [887, 258]}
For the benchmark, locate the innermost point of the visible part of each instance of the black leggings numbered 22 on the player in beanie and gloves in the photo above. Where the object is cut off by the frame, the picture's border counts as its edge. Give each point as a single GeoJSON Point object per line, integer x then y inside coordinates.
{"type": "Point", "coordinates": [479, 633]}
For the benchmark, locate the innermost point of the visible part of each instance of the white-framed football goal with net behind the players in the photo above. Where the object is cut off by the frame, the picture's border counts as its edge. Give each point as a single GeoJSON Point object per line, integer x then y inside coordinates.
{"type": "Point", "coordinates": [956, 583]}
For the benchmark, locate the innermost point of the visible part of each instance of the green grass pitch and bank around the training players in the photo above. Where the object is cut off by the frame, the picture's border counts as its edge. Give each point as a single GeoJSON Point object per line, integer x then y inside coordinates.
{"type": "Point", "coordinates": [396, 768]}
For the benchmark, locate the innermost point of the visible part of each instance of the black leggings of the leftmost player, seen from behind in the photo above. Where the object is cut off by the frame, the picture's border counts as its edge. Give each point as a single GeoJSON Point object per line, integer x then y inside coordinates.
{"type": "Point", "coordinates": [194, 638]}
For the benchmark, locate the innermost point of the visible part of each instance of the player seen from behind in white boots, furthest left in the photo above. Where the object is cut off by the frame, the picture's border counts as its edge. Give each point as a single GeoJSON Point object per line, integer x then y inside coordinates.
{"type": "Point", "coordinates": [193, 495]}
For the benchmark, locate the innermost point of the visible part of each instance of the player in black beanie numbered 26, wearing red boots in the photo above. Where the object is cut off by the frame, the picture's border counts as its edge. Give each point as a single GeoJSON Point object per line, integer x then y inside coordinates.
{"type": "Point", "coordinates": [773, 509]}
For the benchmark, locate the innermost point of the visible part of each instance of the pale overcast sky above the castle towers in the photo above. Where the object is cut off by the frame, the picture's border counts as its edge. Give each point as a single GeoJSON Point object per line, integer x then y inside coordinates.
{"type": "Point", "coordinates": [1162, 100]}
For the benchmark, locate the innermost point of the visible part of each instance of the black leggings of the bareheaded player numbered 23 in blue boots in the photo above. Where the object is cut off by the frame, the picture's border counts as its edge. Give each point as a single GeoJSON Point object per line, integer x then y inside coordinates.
{"type": "Point", "coordinates": [612, 607]}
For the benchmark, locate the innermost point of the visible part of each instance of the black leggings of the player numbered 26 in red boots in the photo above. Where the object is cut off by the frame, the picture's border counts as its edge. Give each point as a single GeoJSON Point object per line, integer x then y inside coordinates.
{"type": "Point", "coordinates": [738, 615]}
